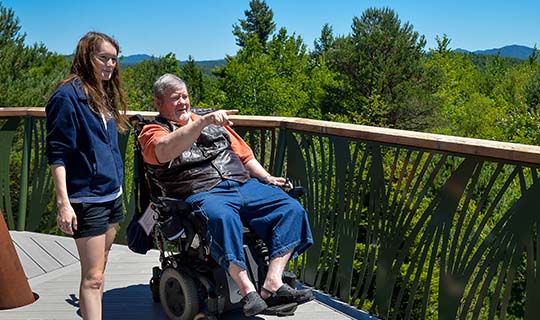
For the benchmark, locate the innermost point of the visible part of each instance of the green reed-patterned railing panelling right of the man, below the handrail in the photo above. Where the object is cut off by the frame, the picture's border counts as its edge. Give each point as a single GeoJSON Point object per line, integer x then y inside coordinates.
{"type": "Point", "coordinates": [414, 234]}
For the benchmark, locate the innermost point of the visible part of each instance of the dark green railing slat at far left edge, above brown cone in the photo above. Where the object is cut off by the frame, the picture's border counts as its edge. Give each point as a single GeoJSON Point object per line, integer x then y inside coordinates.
{"type": "Point", "coordinates": [7, 133]}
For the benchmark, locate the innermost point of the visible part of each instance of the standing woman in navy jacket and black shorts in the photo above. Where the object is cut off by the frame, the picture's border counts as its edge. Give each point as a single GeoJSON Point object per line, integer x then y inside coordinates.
{"type": "Point", "coordinates": [83, 120]}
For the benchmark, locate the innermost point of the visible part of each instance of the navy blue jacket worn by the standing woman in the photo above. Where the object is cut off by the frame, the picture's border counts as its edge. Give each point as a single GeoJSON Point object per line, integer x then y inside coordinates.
{"type": "Point", "coordinates": [78, 140]}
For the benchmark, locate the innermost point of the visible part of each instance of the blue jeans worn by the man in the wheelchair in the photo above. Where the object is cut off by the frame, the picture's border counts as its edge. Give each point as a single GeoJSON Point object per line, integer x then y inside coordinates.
{"type": "Point", "coordinates": [279, 220]}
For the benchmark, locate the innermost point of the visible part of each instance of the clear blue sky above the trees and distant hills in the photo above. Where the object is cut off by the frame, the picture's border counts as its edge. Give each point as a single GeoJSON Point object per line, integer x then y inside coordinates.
{"type": "Point", "coordinates": [203, 28]}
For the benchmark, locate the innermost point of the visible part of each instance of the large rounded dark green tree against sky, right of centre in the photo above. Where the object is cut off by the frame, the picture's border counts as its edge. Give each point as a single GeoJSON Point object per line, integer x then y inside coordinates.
{"type": "Point", "coordinates": [388, 57]}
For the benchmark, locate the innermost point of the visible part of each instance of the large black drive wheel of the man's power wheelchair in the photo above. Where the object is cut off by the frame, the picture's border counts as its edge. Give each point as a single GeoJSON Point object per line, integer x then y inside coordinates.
{"type": "Point", "coordinates": [178, 295]}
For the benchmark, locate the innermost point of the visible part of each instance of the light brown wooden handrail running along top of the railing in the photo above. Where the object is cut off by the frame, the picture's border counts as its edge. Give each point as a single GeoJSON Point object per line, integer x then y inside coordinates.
{"type": "Point", "coordinates": [451, 144]}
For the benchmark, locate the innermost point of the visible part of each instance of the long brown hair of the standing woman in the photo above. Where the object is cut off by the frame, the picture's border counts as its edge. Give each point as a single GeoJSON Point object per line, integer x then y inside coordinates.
{"type": "Point", "coordinates": [103, 96]}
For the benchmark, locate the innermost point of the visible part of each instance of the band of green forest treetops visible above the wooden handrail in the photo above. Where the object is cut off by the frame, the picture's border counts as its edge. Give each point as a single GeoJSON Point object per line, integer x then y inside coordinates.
{"type": "Point", "coordinates": [377, 75]}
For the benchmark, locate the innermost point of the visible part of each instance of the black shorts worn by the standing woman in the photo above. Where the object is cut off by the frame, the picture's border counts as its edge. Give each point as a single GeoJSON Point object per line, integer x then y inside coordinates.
{"type": "Point", "coordinates": [93, 219]}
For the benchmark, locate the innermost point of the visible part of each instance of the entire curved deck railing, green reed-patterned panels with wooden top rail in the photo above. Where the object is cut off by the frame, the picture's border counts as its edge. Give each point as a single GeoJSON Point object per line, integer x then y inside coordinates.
{"type": "Point", "coordinates": [407, 225]}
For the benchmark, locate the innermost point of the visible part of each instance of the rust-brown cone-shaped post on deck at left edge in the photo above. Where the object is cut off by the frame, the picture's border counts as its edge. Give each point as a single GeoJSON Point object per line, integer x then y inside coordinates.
{"type": "Point", "coordinates": [14, 286]}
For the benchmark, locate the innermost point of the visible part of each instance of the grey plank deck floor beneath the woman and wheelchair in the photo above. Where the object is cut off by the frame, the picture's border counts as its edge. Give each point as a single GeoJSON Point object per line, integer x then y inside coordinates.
{"type": "Point", "coordinates": [51, 265]}
